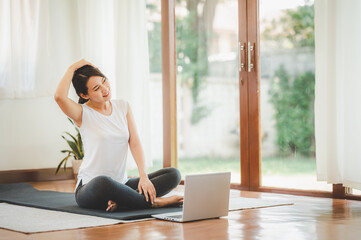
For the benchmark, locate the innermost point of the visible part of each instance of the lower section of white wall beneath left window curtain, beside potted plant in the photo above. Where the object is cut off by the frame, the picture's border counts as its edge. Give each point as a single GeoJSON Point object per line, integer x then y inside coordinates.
{"type": "Point", "coordinates": [30, 133]}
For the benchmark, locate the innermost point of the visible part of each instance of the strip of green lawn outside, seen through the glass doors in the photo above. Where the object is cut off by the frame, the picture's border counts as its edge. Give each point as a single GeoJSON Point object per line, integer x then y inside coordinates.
{"type": "Point", "coordinates": [270, 166]}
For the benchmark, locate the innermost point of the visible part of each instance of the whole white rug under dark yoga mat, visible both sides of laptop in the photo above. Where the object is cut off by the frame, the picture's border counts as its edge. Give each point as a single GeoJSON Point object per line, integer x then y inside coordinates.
{"type": "Point", "coordinates": [35, 220]}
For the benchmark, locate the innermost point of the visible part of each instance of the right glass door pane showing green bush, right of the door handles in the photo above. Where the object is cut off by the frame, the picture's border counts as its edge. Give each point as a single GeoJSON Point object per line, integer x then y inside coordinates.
{"type": "Point", "coordinates": [287, 95]}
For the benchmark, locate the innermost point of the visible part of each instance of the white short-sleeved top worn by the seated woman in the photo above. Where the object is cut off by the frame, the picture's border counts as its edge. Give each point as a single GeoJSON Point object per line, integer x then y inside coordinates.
{"type": "Point", "coordinates": [105, 141]}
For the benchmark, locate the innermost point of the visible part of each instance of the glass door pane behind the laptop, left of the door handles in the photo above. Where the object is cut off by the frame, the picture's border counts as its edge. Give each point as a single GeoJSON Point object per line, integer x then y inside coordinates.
{"type": "Point", "coordinates": [207, 87]}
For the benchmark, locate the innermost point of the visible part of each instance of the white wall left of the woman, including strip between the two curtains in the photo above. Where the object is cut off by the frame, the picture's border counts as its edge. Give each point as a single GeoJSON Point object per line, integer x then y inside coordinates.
{"type": "Point", "coordinates": [31, 129]}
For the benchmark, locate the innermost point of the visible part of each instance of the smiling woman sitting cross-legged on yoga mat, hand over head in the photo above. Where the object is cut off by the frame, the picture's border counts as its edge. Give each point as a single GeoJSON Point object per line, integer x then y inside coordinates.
{"type": "Point", "coordinates": [107, 128]}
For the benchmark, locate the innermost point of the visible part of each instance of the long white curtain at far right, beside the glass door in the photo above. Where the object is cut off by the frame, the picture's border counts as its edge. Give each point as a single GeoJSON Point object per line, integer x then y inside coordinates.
{"type": "Point", "coordinates": [338, 91]}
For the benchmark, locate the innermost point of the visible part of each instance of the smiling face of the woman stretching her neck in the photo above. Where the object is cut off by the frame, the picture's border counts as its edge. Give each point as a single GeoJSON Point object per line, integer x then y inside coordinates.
{"type": "Point", "coordinates": [98, 89]}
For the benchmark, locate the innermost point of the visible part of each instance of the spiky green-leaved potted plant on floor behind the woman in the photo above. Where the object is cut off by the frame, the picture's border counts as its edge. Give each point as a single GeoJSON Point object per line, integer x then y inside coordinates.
{"type": "Point", "coordinates": [76, 152]}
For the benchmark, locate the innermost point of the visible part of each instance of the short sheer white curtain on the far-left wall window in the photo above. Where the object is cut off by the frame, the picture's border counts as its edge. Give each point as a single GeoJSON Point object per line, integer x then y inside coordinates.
{"type": "Point", "coordinates": [23, 48]}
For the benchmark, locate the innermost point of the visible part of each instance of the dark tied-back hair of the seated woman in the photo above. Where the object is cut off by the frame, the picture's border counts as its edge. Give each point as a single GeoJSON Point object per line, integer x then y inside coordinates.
{"type": "Point", "coordinates": [80, 79]}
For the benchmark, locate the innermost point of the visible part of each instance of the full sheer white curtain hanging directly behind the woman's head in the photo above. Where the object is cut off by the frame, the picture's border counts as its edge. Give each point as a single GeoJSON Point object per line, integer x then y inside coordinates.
{"type": "Point", "coordinates": [113, 36]}
